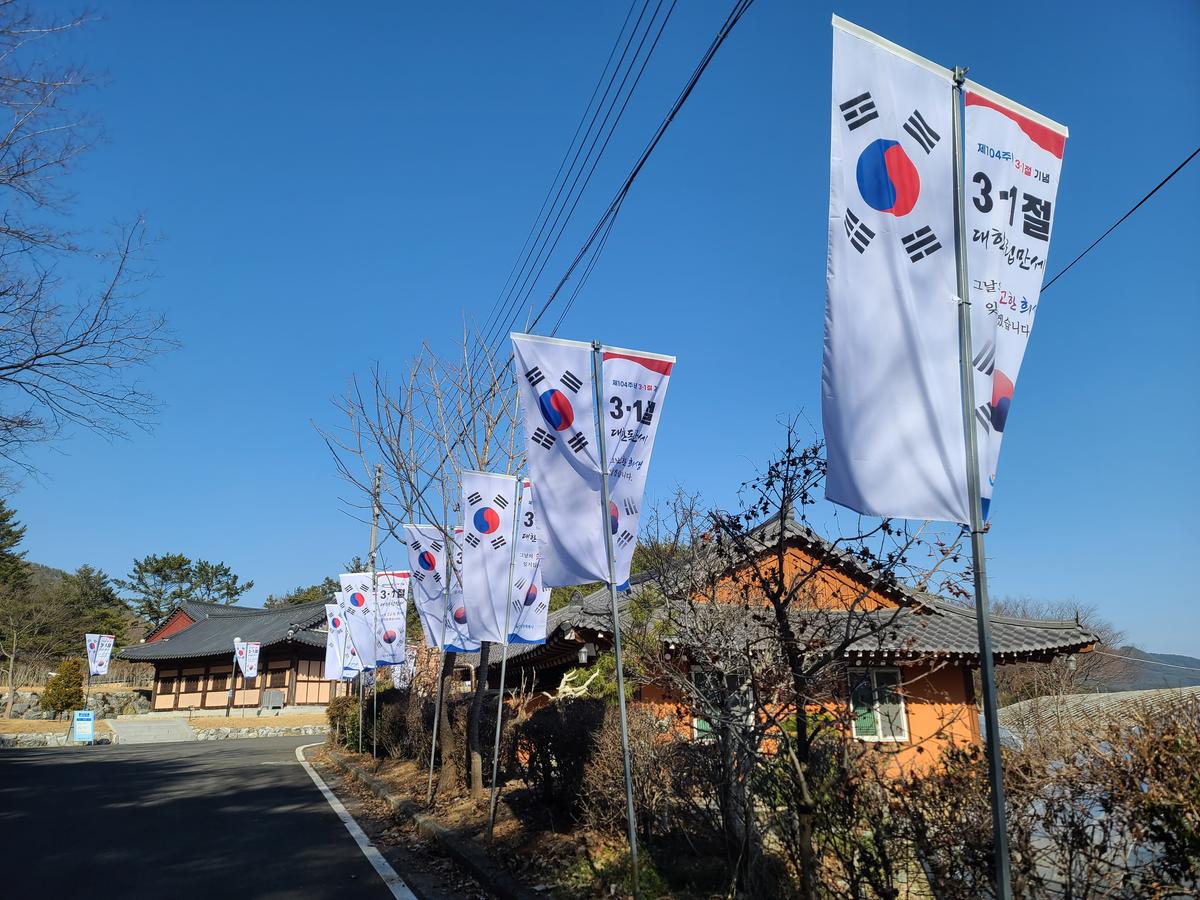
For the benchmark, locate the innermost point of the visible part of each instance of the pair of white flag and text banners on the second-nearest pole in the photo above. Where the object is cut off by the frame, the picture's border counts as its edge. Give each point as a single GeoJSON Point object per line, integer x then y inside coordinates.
{"type": "Point", "coordinates": [556, 391]}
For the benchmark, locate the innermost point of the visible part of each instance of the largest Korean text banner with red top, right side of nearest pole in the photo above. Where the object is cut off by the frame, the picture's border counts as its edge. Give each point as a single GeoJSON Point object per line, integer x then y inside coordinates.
{"type": "Point", "coordinates": [1013, 159]}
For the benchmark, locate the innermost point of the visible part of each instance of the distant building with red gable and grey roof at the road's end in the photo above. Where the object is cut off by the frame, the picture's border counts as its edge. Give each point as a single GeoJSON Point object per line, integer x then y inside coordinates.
{"type": "Point", "coordinates": [193, 656]}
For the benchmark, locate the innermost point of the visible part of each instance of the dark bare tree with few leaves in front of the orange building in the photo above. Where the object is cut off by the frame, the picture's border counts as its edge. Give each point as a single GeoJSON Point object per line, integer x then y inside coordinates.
{"type": "Point", "coordinates": [765, 611]}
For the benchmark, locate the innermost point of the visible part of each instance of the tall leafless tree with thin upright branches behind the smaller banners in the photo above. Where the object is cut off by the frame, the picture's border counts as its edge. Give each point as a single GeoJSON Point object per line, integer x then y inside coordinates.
{"type": "Point", "coordinates": [445, 416]}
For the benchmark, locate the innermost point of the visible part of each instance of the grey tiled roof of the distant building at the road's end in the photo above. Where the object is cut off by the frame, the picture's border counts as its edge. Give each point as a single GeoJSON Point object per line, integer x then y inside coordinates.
{"type": "Point", "coordinates": [218, 626]}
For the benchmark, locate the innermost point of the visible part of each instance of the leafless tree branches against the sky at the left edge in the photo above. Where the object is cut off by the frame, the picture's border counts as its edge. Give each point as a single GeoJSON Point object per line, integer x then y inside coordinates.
{"type": "Point", "coordinates": [67, 357]}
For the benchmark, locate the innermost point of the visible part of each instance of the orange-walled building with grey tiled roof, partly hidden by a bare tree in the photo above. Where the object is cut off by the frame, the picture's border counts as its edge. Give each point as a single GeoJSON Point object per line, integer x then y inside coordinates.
{"type": "Point", "coordinates": [908, 683]}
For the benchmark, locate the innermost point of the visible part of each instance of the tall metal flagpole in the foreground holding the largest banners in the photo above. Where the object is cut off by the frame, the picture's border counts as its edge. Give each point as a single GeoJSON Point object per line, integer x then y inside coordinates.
{"type": "Point", "coordinates": [987, 667]}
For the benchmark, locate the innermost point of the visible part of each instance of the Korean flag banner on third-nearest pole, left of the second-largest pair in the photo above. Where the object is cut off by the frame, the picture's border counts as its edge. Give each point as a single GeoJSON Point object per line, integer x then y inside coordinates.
{"type": "Point", "coordinates": [489, 512]}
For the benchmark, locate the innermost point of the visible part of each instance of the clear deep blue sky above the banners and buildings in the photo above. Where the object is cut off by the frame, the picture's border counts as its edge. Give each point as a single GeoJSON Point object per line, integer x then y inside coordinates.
{"type": "Point", "coordinates": [335, 184]}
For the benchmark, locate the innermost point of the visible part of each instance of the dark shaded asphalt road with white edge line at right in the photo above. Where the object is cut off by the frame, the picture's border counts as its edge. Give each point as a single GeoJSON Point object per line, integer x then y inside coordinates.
{"type": "Point", "coordinates": [230, 820]}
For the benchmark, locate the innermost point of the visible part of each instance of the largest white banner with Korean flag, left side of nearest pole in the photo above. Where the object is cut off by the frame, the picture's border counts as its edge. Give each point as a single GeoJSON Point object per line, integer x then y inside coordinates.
{"type": "Point", "coordinates": [891, 386]}
